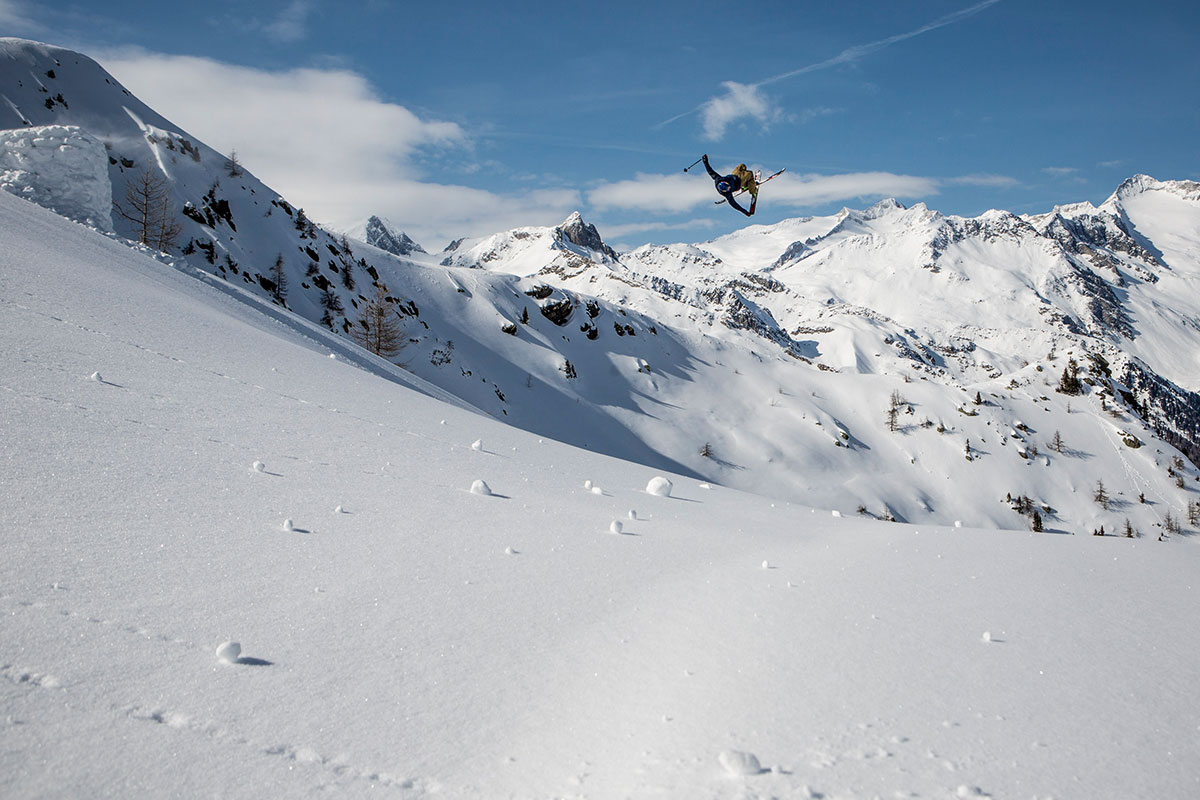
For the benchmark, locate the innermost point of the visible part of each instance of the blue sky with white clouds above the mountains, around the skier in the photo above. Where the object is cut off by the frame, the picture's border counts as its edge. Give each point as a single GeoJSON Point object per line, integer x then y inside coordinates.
{"type": "Point", "coordinates": [461, 119]}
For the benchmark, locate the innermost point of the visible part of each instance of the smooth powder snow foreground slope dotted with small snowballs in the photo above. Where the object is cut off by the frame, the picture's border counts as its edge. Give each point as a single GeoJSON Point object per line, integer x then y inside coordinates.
{"type": "Point", "coordinates": [404, 637]}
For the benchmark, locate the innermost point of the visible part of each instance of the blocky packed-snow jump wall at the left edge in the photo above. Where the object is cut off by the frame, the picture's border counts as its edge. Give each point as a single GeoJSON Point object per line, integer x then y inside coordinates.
{"type": "Point", "coordinates": [62, 169]}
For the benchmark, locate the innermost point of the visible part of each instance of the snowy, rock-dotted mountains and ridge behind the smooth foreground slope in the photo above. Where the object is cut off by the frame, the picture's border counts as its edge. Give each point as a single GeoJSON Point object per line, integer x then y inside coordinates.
{"type": "Point", "coordinates": [892, 362]}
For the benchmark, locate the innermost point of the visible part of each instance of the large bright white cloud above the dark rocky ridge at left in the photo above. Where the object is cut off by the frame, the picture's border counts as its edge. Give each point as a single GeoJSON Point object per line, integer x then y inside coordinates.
{"type": "Point", "coordinates": [326, 141]}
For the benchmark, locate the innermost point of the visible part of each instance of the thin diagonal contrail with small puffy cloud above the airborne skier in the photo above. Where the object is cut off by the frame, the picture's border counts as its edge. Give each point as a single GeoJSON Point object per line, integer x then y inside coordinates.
{"type": "Point", "coordinates": [721, 111]}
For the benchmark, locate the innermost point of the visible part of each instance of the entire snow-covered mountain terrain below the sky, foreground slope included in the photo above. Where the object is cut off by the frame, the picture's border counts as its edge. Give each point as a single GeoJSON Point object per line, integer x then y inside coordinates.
{"type": "Point", "coordinates": [464, 578]}
